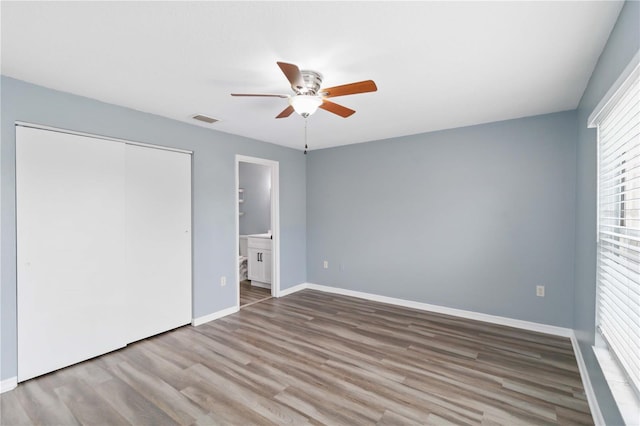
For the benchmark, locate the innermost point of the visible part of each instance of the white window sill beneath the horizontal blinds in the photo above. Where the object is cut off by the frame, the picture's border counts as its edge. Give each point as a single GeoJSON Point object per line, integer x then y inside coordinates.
{"type": "Point", "coordinates": [625, 398]}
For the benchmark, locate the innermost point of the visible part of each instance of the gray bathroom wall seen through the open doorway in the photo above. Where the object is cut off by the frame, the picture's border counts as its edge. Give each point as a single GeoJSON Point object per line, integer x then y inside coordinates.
{"type": "Point", "coordinates": [255, 179]}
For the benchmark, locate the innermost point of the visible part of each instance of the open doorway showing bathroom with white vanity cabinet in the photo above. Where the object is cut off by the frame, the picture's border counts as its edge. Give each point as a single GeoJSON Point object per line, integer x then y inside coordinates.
{"type": "Point", "coordinates": [257, 230]}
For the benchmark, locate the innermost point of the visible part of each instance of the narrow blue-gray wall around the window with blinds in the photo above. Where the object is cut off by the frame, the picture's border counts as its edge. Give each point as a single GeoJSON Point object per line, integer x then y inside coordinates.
{"type": "Point", "coordinates": [623, 43]}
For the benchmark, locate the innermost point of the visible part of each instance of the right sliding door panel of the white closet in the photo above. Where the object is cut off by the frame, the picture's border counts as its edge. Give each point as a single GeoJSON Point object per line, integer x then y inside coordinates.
{"type": "Point", "coordinates": [158, 240]}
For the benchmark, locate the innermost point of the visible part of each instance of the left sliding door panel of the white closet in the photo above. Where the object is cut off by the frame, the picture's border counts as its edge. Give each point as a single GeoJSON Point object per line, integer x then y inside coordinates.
{"type": "Point", "coordinates": [70, 235]}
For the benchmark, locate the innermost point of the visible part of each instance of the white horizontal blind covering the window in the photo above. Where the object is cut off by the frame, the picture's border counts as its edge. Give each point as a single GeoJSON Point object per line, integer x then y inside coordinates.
{"type": "Point", "coordinates": [618, 273]}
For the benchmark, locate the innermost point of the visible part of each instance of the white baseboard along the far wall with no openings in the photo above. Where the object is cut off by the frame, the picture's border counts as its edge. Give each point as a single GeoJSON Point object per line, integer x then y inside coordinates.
{"type": "Point", "coordinates": [494, 319]}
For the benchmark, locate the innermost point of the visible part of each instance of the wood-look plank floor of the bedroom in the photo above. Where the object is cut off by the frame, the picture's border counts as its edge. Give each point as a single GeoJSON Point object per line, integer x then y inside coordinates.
{"type": "Point", "coordinates": [317, 358]}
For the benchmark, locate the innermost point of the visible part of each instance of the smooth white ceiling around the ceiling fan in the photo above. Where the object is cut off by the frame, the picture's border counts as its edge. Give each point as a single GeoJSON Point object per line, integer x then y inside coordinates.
{"type": "Point", "coordinates": [437, 65]}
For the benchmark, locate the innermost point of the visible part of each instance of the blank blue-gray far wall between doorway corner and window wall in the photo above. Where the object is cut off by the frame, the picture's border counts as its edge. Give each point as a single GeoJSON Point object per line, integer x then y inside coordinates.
{"type": "Point", "coordinates": [471, 218]}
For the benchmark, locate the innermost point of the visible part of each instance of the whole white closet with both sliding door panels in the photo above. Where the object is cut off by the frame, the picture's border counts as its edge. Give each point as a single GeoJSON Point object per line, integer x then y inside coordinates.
{"type": "Point", "coordinates": [103, 245]}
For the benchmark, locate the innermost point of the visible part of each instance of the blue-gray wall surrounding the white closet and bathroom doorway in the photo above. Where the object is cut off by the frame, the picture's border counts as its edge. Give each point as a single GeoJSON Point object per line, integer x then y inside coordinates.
{"type": "Point", "coordinates": [214, 192]}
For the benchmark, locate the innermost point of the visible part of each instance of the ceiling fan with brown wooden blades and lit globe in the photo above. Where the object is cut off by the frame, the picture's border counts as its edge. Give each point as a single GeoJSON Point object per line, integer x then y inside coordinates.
{"type": "Point", "coordinates": [309, 96]}
